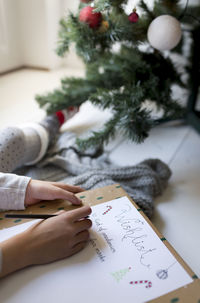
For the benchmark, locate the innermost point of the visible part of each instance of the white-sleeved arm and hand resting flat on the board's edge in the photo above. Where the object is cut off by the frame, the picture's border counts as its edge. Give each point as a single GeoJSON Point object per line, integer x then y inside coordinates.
{"type": "Point", "coordinates": [16, 192]}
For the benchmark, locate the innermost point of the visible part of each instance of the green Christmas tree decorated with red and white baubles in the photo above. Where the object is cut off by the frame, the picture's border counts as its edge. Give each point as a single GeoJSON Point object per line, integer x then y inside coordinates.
{"type": "Point", "coordinates": [127, 68]}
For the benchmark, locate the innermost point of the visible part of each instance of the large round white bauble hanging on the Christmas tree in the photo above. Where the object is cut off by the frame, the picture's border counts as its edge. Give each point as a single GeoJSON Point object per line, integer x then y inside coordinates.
{"type": "Point", "coordinates": [164, 32]}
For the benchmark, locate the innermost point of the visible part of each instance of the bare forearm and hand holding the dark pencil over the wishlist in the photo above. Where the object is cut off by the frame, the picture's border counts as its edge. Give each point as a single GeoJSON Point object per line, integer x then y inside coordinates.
{"type": "Point", "coordinates": [49, 240]}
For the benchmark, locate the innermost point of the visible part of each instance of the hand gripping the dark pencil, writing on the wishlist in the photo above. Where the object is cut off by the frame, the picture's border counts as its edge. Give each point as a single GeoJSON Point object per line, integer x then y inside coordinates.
{"type": "Point", "coordinates": [59, 237]}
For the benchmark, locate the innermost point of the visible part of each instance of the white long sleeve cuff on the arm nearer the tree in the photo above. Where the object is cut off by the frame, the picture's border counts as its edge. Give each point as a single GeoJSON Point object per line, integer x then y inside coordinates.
{"type": "Point", "coordinates": [12, 191]}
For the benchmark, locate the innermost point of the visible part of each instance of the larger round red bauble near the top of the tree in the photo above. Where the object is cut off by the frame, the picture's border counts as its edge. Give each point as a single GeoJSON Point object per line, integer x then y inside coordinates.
{"type": "Point", "coordinates": [87, 15]}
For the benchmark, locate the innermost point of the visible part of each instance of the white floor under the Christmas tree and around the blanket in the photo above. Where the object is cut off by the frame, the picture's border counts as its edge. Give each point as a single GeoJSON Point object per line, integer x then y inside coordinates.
{"type": "Point", "coordinates": [177, 211]}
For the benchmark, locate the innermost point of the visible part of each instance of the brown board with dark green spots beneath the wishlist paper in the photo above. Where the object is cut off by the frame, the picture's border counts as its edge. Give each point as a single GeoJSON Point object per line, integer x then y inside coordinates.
{"type": "Point", "coordinates": [187, 294]}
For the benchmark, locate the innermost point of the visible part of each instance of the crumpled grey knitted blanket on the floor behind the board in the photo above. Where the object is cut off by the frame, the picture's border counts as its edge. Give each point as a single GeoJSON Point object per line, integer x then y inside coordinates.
{"type": "Point", "coordinates": [92, 169]}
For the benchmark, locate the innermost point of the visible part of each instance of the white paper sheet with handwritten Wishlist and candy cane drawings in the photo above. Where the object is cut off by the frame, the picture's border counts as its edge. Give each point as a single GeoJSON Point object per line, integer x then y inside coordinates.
{"type": "Point", "coordinates": [125, 261]}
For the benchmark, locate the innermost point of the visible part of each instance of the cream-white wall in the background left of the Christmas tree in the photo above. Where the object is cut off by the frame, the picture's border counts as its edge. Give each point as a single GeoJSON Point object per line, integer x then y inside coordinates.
{"type": "Point", "coordinates": [29, 33]}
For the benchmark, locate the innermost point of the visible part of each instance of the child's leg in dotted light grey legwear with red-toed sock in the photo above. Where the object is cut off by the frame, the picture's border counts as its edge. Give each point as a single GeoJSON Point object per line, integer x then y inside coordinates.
{"type": "Point", "coordinates": [27, 145]}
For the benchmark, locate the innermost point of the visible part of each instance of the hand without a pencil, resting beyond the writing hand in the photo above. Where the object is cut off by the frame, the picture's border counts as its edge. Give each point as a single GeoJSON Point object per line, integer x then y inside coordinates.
{"type": "Point", "coordinates": [42, 190]}
